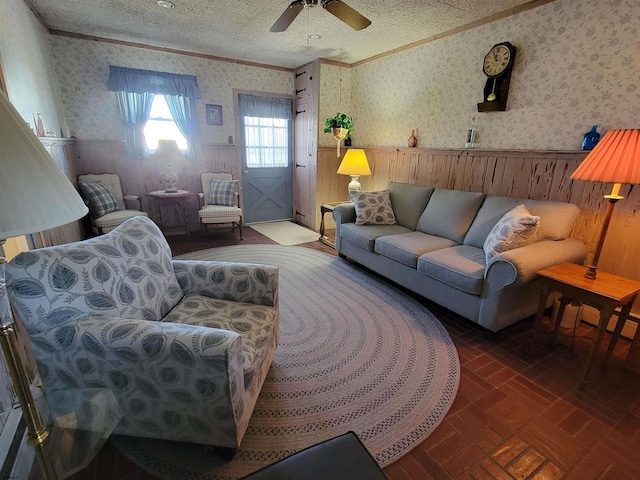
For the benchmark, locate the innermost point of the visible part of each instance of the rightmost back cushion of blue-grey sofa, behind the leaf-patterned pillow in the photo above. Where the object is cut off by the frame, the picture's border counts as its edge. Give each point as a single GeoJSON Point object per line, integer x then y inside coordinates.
{"type": "Point", "coordinates": [556, 218]}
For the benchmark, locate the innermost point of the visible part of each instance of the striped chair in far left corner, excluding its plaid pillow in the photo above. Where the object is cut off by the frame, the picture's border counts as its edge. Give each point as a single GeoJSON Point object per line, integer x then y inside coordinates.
{"type": "Point", "coordinates": [129, 206]}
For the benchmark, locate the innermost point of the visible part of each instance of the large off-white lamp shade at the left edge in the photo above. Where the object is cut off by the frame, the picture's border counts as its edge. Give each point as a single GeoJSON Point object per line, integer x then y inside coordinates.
{"type": "Point", "coordinates": [34, 193]}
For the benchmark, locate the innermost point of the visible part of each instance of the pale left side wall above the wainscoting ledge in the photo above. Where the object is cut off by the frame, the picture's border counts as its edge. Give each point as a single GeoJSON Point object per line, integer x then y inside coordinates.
{"type": "Point", "coordinates": [27, 65]}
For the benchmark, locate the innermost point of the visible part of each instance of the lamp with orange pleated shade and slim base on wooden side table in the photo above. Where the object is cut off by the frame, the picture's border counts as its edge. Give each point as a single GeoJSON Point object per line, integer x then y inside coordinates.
{"type": "Point", "coordinates": [615, 159]}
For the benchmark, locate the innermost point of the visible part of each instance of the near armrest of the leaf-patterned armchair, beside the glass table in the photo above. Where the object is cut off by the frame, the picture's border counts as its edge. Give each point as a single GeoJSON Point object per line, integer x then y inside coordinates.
{"type": "Point", "coordinates": [181, 382]}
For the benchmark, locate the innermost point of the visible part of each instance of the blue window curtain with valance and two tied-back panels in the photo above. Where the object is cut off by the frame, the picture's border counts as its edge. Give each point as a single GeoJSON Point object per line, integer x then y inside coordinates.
{"type": "Point", "coordinates": [135, 89]}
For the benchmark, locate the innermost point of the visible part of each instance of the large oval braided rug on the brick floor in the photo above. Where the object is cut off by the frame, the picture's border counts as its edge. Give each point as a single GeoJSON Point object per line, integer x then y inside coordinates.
{"type": "Point", "coordinates": [355, 354]}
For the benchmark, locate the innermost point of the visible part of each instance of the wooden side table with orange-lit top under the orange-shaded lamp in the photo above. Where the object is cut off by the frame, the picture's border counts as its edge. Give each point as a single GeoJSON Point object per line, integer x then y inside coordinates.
{"type": "Point", "coordinates": [606, 292]}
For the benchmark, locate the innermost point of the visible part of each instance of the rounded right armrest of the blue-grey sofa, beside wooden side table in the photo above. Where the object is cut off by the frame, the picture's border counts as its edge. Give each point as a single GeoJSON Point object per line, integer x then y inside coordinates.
{"type": "Point", "coordinates": [518, 266]}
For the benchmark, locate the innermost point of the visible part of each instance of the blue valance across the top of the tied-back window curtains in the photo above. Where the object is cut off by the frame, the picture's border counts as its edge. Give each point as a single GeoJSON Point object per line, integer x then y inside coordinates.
{"type": "Point", "coordinates": [133, 80]}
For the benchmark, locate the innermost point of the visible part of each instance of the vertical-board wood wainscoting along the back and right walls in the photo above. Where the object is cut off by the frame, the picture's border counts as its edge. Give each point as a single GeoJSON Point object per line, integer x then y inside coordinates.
{"type": "Point", "coordinates": [541, 175]}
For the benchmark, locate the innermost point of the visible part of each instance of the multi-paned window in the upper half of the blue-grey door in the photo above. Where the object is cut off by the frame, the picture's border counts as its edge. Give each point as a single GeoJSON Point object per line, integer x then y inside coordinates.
{"type": "Point", "coordinates": [266, 142]}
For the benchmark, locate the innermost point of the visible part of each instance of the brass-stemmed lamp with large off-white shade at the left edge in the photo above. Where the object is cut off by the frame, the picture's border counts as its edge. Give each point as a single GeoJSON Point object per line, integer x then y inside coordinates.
{"type": "Point", "coordinates": [35, 196]}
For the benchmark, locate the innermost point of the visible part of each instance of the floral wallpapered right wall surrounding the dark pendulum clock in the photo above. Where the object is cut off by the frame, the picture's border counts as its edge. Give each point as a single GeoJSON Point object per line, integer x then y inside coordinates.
{"type": "Point", "coordinates": [577, 64]}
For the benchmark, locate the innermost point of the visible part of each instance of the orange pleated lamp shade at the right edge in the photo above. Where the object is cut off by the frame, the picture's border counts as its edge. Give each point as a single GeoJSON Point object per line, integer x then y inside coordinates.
{"type": "Point", "coordinates": [615, 159]}
